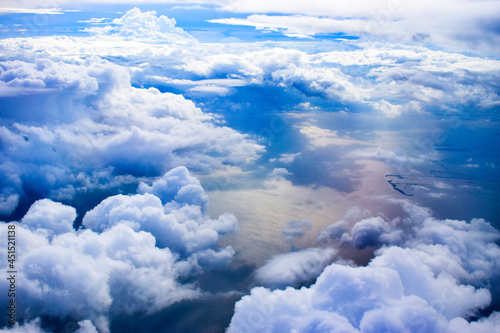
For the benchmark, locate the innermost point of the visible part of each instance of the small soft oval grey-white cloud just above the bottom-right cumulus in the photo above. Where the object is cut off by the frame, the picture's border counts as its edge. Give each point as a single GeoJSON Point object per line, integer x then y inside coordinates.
{"type": "Point", "coordinates": [294, 268]}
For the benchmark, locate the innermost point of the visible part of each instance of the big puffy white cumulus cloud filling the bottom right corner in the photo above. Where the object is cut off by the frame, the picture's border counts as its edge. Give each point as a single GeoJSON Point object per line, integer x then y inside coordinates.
{"type": "Point", "coordinates": [430, 282]}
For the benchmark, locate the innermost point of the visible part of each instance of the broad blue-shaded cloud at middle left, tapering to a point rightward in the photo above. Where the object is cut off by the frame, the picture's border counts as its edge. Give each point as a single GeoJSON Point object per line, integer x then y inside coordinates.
{"type": "Point", "coordinates": [84, 128]}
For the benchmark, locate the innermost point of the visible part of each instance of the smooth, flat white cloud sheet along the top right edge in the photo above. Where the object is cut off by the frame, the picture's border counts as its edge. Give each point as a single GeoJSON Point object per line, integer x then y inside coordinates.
{"type": "Point", "coordinates": [393, 20]}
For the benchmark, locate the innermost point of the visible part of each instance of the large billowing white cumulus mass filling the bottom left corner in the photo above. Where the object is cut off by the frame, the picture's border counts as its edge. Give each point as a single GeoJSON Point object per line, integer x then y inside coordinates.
{"type": "Point", "coordinates": [129, 257]}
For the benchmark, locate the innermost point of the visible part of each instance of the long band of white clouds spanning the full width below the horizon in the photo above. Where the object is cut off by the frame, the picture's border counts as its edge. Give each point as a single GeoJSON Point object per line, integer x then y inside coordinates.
{"type": "Point", "coordinates": [392, 78]}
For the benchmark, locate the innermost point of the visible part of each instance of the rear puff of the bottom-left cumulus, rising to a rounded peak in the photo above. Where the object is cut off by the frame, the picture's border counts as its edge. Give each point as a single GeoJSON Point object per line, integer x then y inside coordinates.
{"type": "Point", "coordinates": [172, 209]}
